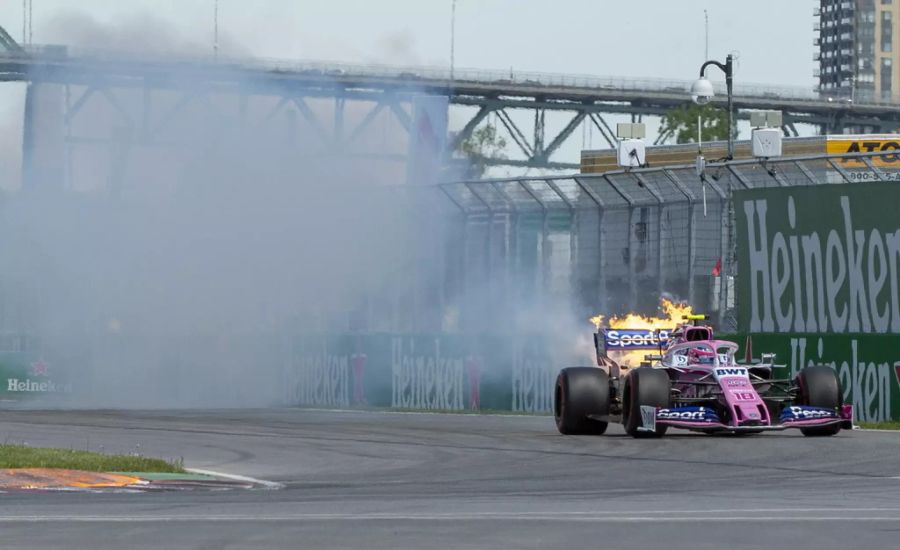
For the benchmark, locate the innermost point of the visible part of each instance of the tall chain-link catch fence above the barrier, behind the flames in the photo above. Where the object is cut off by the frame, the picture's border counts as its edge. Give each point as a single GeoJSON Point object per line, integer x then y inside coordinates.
{"type": "Point", "coordinates": [609, 243]}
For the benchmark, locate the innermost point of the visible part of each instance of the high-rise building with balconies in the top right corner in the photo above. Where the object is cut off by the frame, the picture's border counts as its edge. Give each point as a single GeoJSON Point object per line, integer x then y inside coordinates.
{"type": "Point", "coordinates": [856, 53]}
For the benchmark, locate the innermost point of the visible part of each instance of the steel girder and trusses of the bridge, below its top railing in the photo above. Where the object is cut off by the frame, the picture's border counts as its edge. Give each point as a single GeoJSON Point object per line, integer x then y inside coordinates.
{"type": "Point", "coordinates": [584, 106]}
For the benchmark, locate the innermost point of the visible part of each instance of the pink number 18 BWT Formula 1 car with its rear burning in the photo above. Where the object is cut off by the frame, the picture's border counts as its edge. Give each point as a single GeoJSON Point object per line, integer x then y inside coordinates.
{"type": "Point", "coordinates": [692, 382]}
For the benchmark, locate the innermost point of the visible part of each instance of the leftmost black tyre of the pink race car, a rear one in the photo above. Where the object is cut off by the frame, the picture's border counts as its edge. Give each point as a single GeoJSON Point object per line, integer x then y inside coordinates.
{"type": "Point", "coordinates": [580, 392]}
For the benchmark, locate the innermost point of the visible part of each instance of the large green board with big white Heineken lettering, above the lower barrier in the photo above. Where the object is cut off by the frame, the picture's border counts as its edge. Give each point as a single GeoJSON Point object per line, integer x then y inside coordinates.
{"type": "Point", "coordinates": [818, 259]}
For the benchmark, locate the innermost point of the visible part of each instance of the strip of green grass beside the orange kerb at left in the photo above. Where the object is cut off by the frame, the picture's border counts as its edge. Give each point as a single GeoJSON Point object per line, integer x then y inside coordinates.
{"type": "Point", "coordinates": [24, 456]}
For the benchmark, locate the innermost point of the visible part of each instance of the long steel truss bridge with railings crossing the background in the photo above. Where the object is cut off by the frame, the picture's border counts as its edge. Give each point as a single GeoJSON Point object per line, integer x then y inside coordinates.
{"type": "Point", "coordinates": [513, 98]}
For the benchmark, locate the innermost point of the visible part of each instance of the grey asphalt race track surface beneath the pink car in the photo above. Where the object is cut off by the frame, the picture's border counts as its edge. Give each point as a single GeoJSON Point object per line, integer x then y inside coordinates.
{"type": "Point", "coordinates": [392, 480]}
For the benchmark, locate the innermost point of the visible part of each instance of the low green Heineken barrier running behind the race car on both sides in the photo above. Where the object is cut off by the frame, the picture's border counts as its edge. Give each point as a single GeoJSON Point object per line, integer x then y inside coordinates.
{"type": "Point", "coordinates": [495, 372]}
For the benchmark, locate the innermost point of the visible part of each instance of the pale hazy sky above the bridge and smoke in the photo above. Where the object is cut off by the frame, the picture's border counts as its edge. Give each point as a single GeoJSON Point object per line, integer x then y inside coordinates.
{"type": "Point", "coordinates": [659, 38]}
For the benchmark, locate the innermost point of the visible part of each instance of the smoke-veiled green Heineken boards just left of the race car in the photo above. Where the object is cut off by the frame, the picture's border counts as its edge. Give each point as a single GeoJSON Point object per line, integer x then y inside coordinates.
{"type": "Point", "coordinates": [424, 371]}
